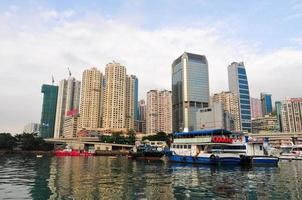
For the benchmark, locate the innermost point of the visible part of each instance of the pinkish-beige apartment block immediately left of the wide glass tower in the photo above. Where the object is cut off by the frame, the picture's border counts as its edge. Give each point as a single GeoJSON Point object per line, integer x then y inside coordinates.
{"type": "Point", "coordinates": [159, 111]}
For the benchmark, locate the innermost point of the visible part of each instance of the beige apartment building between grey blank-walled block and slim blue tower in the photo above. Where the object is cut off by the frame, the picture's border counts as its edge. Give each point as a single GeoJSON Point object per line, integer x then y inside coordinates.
{"type": "Point", "coordinates": [230, 105]}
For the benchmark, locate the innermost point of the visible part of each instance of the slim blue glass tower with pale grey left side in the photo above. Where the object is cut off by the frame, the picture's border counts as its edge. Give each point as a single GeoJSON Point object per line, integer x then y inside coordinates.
{"type": "Point", "coordinates": [238, 84]}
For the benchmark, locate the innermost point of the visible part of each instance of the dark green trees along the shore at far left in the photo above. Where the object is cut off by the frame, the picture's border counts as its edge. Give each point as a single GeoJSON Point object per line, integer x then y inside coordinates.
{"type": "Point", "coordinates": [24, 141]}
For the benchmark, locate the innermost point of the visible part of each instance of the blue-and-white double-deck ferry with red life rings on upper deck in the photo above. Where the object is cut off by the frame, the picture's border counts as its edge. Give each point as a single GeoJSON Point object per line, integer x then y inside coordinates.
{"type": "Point", "coordinates": [213, 146]}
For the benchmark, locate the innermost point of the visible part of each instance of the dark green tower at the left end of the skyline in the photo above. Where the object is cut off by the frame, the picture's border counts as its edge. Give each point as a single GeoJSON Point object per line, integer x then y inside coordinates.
{"type": "Point", "coordinates": [48, 115]}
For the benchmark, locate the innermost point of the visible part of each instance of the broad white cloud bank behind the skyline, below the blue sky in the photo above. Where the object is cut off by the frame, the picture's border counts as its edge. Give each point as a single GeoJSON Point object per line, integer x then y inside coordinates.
{"type": "Point", "coordinates": [29, 57]}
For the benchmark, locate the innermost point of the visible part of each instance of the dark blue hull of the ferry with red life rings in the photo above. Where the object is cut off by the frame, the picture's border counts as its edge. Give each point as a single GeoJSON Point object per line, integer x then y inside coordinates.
{"type": "Point", "coordinates": [205, 160]}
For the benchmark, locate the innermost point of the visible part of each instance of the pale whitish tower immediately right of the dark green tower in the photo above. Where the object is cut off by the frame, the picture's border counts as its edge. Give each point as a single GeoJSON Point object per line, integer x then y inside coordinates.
{"type": "Point", "coordinates": [68, 100]}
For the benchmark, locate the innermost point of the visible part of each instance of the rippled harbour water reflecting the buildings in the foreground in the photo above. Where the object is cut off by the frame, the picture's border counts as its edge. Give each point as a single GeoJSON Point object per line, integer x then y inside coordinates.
{"type": "Point", "coordinates": [28, 177]}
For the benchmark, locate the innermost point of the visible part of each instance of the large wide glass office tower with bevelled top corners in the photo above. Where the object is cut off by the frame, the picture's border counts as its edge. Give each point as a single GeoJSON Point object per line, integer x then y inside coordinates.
{"type": "Point", "coordinates": [190, 90]}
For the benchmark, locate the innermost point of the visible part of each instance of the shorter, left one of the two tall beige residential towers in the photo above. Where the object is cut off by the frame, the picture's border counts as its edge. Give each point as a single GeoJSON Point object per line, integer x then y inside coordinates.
{"type": "Point", "coordinates": [91, 95]}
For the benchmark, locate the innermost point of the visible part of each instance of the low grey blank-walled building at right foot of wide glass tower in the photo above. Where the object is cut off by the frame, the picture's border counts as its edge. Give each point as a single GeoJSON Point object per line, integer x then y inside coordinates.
{"type": "Point", "coordinates": [214, 117]}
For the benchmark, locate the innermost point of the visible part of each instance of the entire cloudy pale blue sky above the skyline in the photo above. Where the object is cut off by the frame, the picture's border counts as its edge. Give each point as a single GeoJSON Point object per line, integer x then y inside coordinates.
{"type": "Point", "coordinates": [42, 38]}
